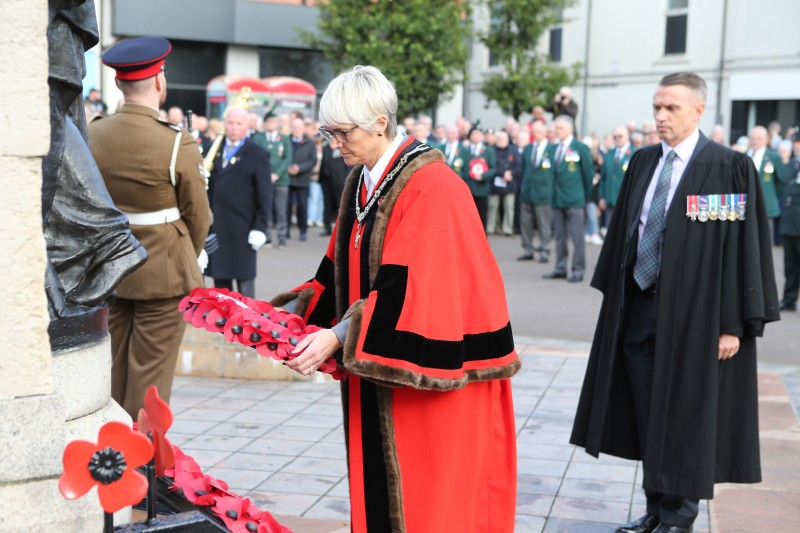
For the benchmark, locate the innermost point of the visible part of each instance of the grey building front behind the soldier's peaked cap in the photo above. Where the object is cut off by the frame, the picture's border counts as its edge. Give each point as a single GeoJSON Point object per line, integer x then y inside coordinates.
{"type": "Point", "coordinates": [254, 38]}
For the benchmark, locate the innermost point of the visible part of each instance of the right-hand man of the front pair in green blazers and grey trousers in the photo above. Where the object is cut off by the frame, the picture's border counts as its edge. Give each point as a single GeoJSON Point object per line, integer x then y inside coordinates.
{"type": "Point", "coordinates": [574, 172]}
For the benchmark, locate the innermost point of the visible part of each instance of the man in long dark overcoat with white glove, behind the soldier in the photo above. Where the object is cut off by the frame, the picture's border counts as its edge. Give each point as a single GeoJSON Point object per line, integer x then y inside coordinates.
{"type": "Point", "coordinates": [240, 194]}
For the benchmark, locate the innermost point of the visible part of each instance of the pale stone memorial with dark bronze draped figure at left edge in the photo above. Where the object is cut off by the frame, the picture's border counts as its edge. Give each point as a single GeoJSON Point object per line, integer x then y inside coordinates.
{"type": "Point", "coordinates": [66, 249]}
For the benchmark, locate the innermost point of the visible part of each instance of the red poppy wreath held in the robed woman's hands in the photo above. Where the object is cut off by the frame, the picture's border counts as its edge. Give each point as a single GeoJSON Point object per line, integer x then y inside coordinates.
{"type": "Point", "coordinates": [271, 332]}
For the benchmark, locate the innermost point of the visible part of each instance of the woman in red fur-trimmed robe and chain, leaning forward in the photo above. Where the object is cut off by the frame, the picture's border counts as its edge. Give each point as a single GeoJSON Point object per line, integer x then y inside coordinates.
{"type": "Point", "coordinates": [417, 314]}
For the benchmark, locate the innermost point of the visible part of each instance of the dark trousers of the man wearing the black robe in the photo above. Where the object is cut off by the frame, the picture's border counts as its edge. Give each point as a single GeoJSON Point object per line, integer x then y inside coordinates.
{"type": "Point", "coordinates": [639, 344]}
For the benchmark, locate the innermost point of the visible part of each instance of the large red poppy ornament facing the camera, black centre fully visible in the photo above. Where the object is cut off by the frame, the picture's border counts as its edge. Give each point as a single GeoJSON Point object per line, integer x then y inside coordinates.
{"type": "Point", "coordinates": [110, 464]}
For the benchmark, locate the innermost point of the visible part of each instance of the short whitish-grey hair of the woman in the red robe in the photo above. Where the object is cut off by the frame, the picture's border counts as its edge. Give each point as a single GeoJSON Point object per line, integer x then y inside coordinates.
{"type": "Point", "coordinates": [360, 96]}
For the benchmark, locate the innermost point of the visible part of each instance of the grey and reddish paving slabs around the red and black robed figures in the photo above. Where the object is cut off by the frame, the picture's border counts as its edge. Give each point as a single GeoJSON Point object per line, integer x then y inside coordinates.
{"type": "Point", "coordinates": [281, 444]}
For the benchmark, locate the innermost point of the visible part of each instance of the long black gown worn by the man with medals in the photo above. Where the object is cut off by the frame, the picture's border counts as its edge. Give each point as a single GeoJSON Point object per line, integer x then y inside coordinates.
{"type": "Point", "coordinates": [716, 277]}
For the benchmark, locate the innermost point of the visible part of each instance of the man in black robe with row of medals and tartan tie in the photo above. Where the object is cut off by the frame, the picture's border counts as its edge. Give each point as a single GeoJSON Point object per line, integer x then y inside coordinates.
{"type": "Point", "coordinates": [671, 378]}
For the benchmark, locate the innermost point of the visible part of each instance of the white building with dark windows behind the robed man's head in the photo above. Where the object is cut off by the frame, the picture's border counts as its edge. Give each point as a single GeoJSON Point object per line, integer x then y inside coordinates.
{"type": "Point", "coordinates": [748, 51]}
